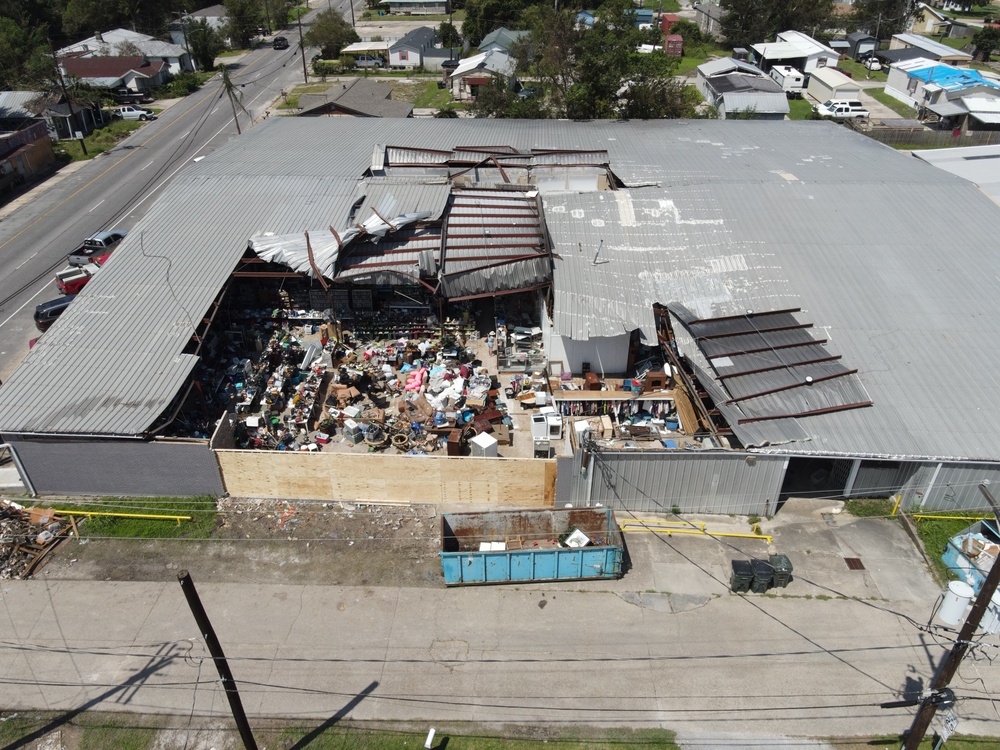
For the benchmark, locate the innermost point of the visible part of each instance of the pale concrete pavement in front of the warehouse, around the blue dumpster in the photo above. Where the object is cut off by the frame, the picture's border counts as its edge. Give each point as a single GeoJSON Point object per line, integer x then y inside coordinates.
{"type": "Point", "coordinates": [668, 645]}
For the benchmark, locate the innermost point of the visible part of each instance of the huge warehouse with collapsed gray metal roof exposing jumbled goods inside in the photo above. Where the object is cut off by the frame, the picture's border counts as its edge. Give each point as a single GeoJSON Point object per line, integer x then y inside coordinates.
{"type": "Point", "coordinates": [651, 316]}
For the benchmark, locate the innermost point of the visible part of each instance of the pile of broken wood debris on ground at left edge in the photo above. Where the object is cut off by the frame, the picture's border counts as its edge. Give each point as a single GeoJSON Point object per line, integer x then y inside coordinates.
{"type": "Point", "coordinates": [27, 535]}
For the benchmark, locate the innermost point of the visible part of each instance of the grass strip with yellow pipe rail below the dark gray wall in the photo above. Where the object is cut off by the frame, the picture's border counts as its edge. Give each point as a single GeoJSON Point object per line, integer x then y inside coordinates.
{"type": "Point", "coordinates": [202, 510]}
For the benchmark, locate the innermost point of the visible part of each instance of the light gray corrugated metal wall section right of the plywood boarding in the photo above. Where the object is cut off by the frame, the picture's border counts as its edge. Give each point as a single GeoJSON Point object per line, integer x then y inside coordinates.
{"type": "Point", "coordinates": [647, 482]}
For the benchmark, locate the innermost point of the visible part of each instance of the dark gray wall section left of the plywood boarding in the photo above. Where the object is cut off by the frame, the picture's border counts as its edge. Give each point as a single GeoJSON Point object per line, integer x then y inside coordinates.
{"type": "Point", "coordinates": [120, 468]}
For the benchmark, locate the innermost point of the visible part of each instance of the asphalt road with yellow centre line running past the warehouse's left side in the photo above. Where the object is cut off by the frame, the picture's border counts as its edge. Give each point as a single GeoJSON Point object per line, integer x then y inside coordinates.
{"type": "Point", "coordinates": [115, 189]}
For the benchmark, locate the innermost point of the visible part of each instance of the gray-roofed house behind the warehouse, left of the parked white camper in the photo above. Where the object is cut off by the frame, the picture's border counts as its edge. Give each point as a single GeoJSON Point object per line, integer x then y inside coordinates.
{"type": "Point", "coordinates": [734, 86]}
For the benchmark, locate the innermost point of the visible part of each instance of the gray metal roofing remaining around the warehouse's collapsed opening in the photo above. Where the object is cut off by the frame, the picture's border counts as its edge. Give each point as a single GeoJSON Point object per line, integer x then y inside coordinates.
{"type": "Point", "coordinates": [718, 219]}
